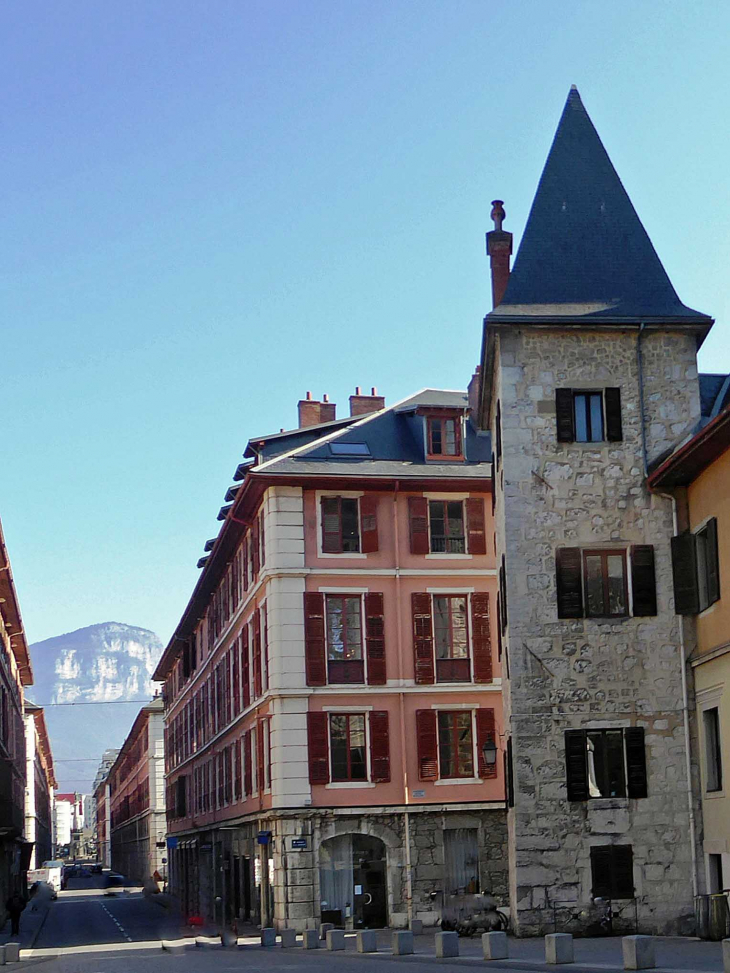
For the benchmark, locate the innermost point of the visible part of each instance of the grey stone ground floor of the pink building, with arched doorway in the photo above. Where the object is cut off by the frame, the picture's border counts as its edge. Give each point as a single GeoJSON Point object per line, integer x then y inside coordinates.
{"type": "Point", "coordinates": [357, 868]}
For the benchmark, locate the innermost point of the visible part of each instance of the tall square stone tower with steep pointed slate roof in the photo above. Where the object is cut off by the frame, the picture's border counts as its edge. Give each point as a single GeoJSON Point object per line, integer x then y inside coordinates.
{"type": "Point", "coordinates": [589, 373]}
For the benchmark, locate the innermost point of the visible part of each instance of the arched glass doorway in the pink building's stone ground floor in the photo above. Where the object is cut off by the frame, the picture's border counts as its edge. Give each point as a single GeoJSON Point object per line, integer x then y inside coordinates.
{"type": "Point", "coordinates": [352, 881]}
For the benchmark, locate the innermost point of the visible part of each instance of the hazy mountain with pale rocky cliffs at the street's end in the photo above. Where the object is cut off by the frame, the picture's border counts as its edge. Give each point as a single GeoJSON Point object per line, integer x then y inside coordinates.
{"type": "Point", "coordinates": [91, 668]}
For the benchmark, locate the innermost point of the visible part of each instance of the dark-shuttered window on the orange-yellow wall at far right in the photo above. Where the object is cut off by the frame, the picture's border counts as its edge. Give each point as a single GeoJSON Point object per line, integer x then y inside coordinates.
{"type": "Point", "coordinates": [696, 568]}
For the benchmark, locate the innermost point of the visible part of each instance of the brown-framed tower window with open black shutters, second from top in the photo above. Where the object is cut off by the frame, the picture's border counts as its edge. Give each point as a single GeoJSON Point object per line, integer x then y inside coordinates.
{"type": "Point", "coordinates": [595, 583]}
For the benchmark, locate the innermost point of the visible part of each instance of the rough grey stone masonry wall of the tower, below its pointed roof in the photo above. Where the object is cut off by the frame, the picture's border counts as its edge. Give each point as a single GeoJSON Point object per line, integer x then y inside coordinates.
{"type": "Point", "coordinates": [590, 672]}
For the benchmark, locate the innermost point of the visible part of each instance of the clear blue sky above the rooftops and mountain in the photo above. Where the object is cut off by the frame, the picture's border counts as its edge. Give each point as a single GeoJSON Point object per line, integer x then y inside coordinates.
{"type": "Point", "coordinates": [210, 208]}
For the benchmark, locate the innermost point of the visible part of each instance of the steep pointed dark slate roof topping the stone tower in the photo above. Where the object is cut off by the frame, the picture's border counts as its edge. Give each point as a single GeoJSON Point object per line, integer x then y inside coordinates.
{"type": "Point", "coordinates": [584, 253]}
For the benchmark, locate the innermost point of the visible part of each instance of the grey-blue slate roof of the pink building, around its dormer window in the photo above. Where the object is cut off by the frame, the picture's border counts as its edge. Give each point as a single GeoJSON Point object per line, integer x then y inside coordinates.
{"type": "Point", "coordinates": [395, 441]}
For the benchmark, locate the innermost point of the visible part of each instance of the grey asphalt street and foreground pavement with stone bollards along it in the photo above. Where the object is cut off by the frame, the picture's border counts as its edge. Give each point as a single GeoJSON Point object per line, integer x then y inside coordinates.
{"type": "Point", "coordinates": [88, 931]}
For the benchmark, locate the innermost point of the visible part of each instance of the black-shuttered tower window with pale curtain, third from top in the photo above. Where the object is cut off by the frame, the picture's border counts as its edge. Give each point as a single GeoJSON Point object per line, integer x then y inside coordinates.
{"type": "Point", "coordinates": [603, 763]}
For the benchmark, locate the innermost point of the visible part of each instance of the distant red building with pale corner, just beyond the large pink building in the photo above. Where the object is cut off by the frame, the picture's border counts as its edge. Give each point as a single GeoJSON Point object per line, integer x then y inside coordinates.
{"type": "Point", "coordinates": [130, 806]}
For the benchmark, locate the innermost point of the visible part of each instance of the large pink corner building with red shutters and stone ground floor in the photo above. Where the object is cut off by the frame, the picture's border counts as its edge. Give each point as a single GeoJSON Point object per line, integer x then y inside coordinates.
{"type": "Point", "coordinates": [333, 690]}
